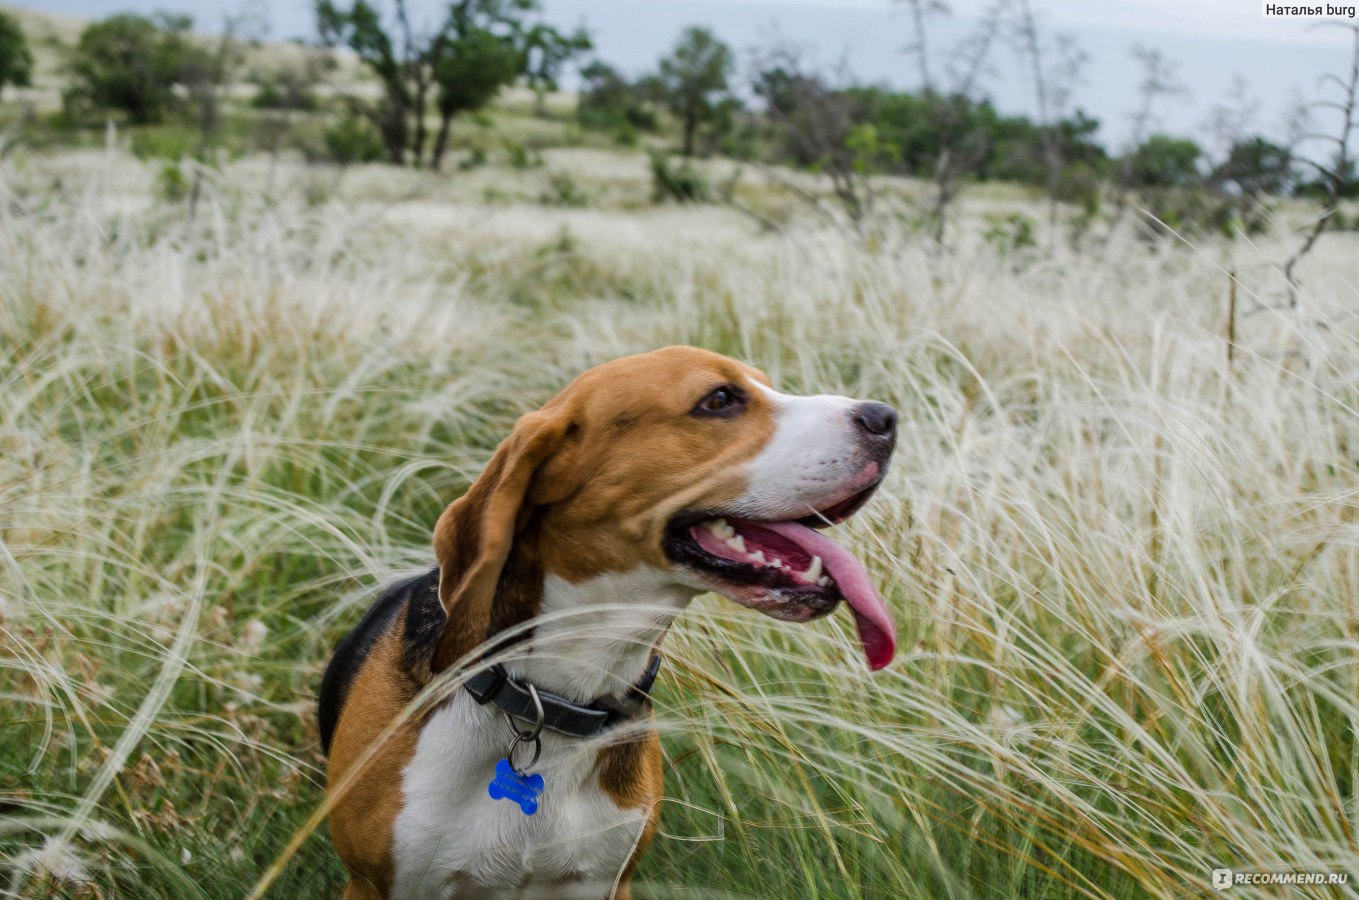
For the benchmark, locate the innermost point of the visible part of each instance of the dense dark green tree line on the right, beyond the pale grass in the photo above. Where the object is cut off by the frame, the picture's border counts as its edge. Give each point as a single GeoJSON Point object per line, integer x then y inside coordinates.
{"type": "Point", "coordinates": [823, 122]}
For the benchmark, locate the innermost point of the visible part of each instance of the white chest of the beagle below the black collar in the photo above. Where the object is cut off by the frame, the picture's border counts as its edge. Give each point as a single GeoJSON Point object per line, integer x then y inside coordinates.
{"type": "Point", "coordinates": [451, 838]}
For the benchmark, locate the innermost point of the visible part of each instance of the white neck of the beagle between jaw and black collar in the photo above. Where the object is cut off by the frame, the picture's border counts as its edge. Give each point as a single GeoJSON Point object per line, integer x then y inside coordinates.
{"type": "Point", "coordinates": [596, 638]}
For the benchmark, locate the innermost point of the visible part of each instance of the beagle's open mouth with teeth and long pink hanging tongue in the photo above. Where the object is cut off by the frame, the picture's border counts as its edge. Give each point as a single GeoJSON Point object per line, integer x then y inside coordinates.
{"type": "Point", "coordinates": [786, 569]}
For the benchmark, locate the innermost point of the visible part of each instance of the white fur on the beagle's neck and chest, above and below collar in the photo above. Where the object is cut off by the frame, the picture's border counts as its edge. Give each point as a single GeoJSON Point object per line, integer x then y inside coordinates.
{"type": "Point", "coordinates": [453, 841]}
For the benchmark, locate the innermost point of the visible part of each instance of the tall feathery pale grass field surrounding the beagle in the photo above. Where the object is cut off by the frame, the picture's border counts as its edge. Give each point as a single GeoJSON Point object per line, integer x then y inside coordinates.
{"type": "Point", "coordinates": [1126, 572]}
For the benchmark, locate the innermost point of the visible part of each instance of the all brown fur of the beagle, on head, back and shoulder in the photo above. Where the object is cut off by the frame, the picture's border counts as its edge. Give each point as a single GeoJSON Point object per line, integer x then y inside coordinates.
{"type": "Point", "coordinates": [582, 487]}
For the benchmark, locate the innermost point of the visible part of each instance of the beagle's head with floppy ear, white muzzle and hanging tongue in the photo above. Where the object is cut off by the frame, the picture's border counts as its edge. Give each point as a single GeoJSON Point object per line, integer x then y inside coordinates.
{"type": "Point", "coordinates": [682, 462]}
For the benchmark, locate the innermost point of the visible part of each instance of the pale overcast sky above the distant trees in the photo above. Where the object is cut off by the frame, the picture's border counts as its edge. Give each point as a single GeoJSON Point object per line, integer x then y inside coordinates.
{"type": "Point", "coordinates": [1212, 41]}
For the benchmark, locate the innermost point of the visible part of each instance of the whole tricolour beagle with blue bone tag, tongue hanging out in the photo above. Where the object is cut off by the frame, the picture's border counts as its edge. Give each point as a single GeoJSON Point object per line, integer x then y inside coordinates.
{"type": "Point", "coordinates": [645, 483]}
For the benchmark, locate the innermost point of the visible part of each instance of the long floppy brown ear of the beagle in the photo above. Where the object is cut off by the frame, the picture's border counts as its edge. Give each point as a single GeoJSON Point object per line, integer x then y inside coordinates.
{"type": "Point", "coordinates": [476, 534]}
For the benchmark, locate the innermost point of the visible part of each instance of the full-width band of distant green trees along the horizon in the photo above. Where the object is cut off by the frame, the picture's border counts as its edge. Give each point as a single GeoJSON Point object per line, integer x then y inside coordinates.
{"type": "Point", "coordinates": [796, 115]}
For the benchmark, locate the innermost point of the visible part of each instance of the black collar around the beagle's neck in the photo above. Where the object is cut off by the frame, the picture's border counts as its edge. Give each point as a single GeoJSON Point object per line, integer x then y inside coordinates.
{"type": "Point", "coordinates": [562, 716]}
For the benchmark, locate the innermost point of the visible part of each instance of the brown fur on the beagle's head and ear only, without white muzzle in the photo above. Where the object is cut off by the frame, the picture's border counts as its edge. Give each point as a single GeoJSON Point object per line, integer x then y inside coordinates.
{"type": "Point", "coordinates": [597, 474]}
